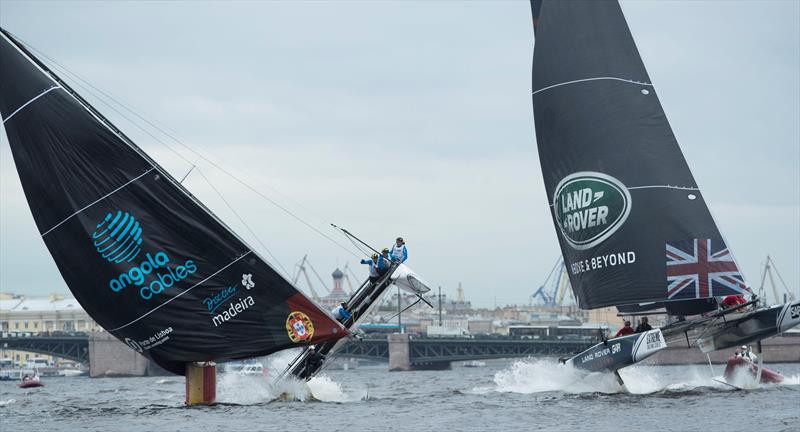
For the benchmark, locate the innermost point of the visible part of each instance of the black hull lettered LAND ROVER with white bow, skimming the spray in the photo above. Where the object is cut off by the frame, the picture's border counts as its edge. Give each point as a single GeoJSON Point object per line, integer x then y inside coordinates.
{"type": "Point", "coordinates": [614, 354]}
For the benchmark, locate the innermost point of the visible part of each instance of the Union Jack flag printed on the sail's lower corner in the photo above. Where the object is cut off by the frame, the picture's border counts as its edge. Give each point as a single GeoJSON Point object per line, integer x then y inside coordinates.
{"type": "Point", "coordinates": [701, 268]}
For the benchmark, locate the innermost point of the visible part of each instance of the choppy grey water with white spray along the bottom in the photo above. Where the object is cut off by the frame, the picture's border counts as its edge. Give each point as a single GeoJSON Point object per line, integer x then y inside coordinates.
{"type": "Point", "coordinates": [503, 396]}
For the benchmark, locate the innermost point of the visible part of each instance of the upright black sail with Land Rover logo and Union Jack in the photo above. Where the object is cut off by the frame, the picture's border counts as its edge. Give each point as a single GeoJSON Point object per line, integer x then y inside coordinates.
{"type": "Point", "coordinates": [632, 224]}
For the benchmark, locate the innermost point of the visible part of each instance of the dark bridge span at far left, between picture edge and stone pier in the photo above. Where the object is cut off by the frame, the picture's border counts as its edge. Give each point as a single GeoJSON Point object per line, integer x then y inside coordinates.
{"type": "Point", "coordinates": [71, 347]}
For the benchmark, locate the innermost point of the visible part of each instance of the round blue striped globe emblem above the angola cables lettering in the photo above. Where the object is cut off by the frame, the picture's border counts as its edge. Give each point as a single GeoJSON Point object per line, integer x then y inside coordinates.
{"type": "Point", "coordinates": [118, 237]}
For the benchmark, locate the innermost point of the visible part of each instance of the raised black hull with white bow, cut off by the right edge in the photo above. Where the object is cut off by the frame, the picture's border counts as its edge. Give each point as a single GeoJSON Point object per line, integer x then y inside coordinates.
{"type": "Point", "coordinates": [744, 328]}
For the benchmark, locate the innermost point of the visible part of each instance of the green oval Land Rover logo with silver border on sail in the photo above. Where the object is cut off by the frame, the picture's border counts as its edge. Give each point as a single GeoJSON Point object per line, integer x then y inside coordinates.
{"type": "Point", "coordinates": [589, 207]}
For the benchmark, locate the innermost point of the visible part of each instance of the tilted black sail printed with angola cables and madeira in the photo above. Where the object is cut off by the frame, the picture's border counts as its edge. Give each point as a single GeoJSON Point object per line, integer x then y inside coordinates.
{"type": "Point", "coordinates": [143, 257]}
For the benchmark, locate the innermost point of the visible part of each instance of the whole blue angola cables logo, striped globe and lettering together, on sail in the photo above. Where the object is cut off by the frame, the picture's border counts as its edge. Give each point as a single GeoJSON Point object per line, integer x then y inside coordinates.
{"type": "Point", "coordinates": [118, 239]}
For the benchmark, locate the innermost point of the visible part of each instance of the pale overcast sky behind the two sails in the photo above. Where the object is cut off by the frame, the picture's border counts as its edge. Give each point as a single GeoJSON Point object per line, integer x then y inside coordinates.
{"type": "Point", "coordinates": [415, 119]}
